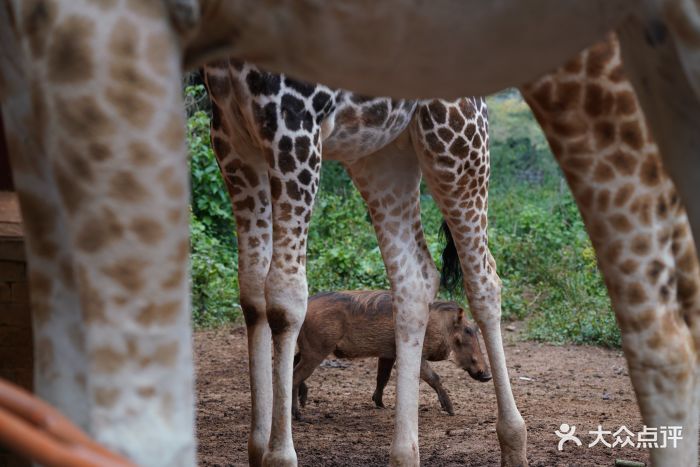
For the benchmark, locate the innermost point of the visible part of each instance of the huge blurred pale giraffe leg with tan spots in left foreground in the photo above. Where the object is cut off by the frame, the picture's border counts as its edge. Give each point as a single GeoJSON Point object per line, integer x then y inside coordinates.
{"type": "Point", "coordinates": [117, 158]}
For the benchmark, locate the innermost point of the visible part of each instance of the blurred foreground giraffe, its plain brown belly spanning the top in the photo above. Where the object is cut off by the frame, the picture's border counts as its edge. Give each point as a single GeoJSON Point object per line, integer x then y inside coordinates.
{"type": "Point", "coordinates": [302, 38]}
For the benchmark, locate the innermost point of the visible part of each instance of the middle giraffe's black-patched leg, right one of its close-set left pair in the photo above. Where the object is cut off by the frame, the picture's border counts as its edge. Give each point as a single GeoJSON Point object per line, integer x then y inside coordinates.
{"type": "Point", "coordinates": [285, 133]}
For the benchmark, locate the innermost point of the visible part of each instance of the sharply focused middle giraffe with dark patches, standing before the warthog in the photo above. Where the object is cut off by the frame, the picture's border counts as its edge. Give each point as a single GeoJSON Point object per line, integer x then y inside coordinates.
{"type": "Point", "coordinates": [385, 145]}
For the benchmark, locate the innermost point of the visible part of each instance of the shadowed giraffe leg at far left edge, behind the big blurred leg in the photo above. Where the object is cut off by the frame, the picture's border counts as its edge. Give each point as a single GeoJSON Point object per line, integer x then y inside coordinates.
{"type": "Point", "coordinates": [59, 344]}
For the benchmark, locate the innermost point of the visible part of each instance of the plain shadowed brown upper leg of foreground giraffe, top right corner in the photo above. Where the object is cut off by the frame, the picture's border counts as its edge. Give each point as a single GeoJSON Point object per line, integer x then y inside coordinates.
{"type": "Point", "coordinates": [663, 95]}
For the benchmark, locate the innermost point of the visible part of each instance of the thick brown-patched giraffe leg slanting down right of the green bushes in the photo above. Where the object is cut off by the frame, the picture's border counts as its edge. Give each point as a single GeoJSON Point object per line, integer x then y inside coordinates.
{"type": "Point", "coordinates": [641, 237]}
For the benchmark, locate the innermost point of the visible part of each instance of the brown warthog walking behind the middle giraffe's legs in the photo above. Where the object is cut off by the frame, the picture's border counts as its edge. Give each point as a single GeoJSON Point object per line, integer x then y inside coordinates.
{"type": "Point", "coordinates": [360, 324]}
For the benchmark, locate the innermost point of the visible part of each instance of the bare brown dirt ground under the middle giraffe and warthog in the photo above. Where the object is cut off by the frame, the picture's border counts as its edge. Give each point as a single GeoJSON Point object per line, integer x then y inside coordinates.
{"type": "Point", "coordinates": [581, 386]}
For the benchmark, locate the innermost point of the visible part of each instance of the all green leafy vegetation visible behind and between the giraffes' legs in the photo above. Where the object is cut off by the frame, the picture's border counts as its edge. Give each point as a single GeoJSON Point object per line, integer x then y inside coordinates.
{"type": "Point", "coordinates": [544, 257]}
